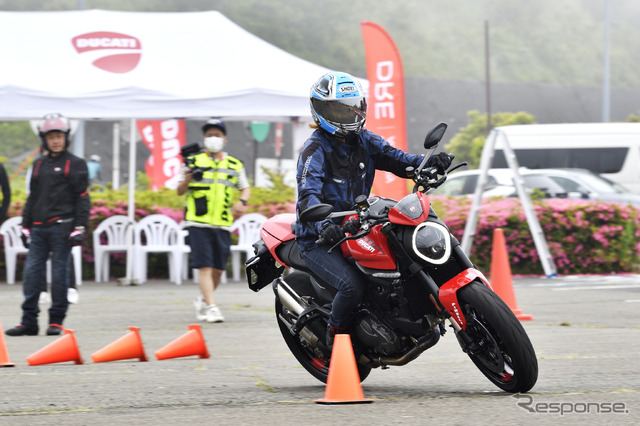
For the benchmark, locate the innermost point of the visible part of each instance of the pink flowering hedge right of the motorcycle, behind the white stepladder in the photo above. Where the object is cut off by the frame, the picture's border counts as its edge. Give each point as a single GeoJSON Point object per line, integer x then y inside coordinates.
{"type": "Point", "coordinates": [583, 236]}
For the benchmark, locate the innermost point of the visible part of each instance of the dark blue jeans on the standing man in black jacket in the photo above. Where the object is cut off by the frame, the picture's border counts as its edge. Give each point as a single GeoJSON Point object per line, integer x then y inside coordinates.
{"type": "Point", "coordinates": [45, 240]}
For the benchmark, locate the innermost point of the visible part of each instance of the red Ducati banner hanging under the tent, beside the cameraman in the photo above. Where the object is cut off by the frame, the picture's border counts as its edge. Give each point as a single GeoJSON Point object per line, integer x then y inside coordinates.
{"type": "Point", "coordinates": [164, 139]}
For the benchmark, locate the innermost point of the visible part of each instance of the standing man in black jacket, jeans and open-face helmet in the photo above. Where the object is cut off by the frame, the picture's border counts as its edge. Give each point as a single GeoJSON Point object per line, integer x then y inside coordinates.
{"type": "Point", "coordinates": [53, 221]}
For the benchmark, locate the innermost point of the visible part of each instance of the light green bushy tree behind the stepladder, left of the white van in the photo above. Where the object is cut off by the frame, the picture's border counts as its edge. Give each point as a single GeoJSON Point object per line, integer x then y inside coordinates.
{"type": "Point", "coordinates": [467, 145]}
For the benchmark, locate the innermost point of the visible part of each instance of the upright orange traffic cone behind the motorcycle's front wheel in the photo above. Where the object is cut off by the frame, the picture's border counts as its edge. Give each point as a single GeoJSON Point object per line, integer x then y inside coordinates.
{"type": "Point", "coordinates": [501, 274]}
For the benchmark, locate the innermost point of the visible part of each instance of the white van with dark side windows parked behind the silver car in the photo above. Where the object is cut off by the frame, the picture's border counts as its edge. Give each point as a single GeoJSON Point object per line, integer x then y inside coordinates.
{"type": "Point", "coordinates": [610, 149]}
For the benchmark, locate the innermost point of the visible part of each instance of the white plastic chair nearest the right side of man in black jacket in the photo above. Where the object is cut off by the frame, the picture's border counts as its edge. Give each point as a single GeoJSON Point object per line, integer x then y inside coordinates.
{"type": "Point", "coordinates": [118, 233]}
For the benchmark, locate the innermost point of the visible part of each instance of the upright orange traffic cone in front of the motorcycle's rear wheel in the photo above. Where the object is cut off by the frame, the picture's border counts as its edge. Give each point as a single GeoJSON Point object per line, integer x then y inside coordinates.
{"type": "Point", "coordinates": [343, 383]}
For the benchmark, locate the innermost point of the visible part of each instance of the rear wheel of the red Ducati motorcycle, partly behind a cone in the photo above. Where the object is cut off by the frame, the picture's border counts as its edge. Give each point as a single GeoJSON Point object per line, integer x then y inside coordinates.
{"type": "Point", "coordinates": [317, 366]}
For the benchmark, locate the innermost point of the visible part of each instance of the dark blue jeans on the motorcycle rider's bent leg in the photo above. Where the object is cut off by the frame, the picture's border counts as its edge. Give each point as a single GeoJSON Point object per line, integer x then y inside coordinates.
{"type": "Point", "coordinates": [338, 273]}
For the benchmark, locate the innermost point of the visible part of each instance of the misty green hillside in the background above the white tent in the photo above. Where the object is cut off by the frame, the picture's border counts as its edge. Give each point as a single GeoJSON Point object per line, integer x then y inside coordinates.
{"type": "Point", "coordinates": [545, 41]}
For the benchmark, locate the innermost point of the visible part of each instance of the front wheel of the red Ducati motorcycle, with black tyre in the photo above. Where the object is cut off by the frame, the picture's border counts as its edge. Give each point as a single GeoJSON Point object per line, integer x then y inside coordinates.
{"type": "Point", "coordinates": [505, 354]}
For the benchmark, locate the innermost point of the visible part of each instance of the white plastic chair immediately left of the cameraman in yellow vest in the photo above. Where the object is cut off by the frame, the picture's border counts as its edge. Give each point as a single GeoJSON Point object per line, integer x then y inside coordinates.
{"type": "Point", "coordinates": [161, 235]}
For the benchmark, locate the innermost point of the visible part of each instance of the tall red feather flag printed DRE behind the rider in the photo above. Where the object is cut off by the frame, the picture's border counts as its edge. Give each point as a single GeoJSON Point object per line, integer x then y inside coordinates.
{"type": "Point", "coordinates": [386, 115]}
